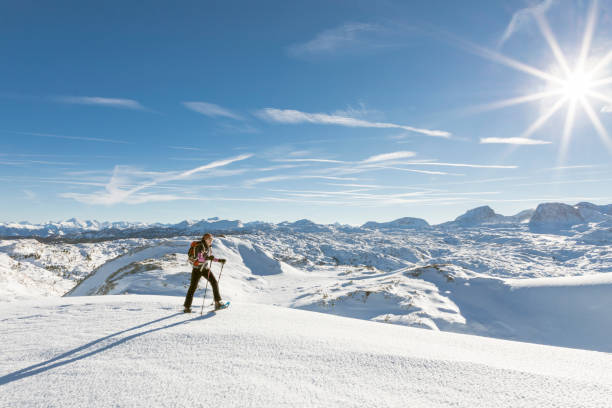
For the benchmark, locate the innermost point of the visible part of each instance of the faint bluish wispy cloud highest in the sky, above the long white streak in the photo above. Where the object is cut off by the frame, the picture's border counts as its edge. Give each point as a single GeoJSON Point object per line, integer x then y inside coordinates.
{"type": "Point", "coordinates": [342, 38]}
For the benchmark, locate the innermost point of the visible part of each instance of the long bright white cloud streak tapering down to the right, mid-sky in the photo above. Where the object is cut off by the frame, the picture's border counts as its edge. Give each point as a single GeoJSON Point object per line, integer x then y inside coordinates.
{"type": "Point", "coordinates": [290, 116]}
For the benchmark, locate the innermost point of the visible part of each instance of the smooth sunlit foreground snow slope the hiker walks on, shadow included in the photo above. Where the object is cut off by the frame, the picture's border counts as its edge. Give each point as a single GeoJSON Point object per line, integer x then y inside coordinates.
{"type": "Point", "coordinates": [137, 351]}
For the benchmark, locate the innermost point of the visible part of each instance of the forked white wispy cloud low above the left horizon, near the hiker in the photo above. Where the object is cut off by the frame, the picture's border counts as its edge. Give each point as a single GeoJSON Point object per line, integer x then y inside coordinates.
{"type": "Point", "coordinates": [123, 188]}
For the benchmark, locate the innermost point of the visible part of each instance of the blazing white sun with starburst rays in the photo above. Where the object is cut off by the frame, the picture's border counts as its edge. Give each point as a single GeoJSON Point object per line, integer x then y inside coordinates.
{"type": "Point", "coordinates": [575, 85]}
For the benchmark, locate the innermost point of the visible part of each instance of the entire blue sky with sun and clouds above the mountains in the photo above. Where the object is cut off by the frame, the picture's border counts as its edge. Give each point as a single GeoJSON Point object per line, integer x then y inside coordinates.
{"type": "Point", "coordinates": [333, 111]}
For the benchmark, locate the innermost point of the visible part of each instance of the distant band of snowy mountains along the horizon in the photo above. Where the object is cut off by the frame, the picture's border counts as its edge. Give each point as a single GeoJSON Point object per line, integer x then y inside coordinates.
{"type": "Point", "coordinates": [548, 217]}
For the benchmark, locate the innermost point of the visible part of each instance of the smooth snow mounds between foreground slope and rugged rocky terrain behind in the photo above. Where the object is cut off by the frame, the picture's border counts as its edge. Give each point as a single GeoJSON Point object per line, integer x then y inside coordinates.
{"type": "Point", "coordinates": [572, 311]}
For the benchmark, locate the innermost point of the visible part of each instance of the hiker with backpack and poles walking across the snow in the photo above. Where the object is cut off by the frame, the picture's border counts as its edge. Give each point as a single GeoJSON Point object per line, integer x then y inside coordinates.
{"type": "Point", "coordinates": [202, 253]}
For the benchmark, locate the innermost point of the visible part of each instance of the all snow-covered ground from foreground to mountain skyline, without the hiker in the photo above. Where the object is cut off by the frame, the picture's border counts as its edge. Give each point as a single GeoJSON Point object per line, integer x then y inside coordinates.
{"type": "Point", "coordinates": [322, 315]}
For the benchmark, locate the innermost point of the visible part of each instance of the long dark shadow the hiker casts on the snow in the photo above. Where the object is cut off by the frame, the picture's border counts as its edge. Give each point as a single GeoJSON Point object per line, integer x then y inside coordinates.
{"type": "Point", "coordinates": [72, 355]}
